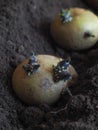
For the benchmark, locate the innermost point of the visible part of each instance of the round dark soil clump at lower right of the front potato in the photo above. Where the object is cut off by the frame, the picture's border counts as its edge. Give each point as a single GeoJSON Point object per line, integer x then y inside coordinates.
{"type": "Point", "coordinates": [78, 107]}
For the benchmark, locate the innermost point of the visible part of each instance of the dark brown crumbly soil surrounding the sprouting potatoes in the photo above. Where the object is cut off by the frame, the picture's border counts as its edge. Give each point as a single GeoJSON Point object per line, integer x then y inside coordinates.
{"type": "Point", "coordinates": [25, 26]}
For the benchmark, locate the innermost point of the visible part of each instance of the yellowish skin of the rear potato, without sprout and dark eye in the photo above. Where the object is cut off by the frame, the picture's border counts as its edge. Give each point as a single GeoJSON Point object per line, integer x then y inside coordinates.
{"type": "Point", "coordinates": [71, 35]}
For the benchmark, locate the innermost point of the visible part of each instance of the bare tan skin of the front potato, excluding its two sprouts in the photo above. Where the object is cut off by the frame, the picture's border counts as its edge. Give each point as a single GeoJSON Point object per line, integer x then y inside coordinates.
{"type": "Point", "coordinates": [40, 87]}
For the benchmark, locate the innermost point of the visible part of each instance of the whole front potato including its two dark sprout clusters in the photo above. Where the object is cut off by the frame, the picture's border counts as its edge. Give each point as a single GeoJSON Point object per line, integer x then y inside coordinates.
{"type": "Point", "coordinates": [42, 78]}
